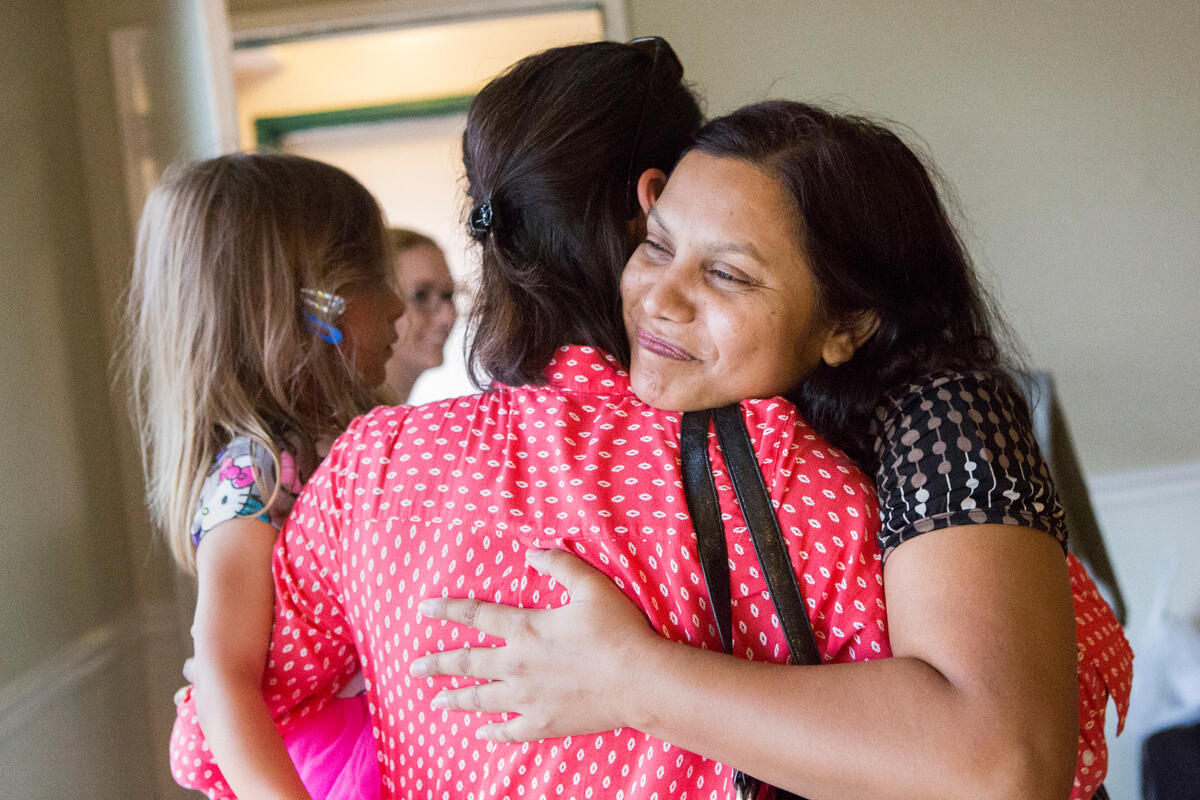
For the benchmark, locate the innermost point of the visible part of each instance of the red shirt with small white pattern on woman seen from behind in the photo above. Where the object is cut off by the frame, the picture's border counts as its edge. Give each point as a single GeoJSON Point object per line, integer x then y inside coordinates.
{"type": "Point", "coordinates": [446, 498]}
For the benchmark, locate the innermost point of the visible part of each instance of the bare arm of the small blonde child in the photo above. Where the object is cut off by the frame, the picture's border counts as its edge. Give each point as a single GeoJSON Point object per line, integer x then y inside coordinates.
{"type": "Point", "coordinates": [235, 612]}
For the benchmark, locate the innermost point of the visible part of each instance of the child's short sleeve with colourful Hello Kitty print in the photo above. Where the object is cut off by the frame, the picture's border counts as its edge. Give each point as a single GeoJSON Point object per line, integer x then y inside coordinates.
{"type": "Point", "coordinates": [236, 488]}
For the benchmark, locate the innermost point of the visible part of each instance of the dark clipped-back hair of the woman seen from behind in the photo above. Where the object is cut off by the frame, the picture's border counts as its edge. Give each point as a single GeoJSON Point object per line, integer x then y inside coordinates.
{"type": "Point", "coordinates": [549, 149]}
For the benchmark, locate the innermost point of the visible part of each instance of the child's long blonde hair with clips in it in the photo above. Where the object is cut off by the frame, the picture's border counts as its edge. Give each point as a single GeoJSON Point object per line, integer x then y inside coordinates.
{"type": "Point", "coordinates": [218, 344]}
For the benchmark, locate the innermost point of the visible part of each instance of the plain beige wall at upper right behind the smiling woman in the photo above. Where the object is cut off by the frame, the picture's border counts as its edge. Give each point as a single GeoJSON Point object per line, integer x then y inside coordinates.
{"type": "Point", "coordinates": [1069, 130]}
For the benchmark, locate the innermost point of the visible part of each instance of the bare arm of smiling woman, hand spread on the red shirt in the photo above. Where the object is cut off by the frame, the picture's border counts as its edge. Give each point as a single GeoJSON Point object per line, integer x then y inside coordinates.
{"type": "Point", "coordinates": [979, 702]}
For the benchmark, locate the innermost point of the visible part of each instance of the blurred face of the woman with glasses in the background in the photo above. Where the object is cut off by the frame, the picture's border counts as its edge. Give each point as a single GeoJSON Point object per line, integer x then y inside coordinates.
{"type": "Point", "coordinates": [429, 293]}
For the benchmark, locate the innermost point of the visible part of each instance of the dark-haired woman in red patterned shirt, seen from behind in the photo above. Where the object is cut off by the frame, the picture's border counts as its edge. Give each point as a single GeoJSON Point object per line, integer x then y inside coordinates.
{"type": "Point", "coordinates": [557, 454]}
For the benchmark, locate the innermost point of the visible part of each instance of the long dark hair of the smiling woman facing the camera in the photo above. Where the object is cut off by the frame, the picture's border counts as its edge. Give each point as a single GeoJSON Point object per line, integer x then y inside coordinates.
{"type": "Point", "coordinates": [879, 239]}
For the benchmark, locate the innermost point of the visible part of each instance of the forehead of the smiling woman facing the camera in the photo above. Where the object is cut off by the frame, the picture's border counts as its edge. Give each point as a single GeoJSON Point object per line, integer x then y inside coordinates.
{"type": "Point", "coordinates": [729, 200]}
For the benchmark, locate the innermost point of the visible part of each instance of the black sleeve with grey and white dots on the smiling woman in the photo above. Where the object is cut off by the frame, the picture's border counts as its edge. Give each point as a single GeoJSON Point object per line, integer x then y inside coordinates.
{"type": "Point", "coordinates": [953, 453]}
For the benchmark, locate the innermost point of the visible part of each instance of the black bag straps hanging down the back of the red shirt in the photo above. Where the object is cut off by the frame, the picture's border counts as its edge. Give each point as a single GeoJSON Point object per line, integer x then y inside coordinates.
{"type": "Point", "coordinates": [700, 494]}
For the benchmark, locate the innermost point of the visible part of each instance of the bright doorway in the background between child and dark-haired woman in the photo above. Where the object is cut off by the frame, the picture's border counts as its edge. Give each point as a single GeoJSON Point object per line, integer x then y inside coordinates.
{"type": "Point", "coordinates": [386, 101]}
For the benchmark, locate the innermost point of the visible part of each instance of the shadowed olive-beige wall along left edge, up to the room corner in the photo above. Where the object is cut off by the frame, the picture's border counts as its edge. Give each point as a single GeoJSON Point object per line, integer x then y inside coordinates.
{"type": "Point", "coordinates": [70, 667]}
